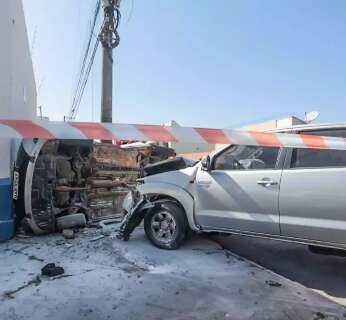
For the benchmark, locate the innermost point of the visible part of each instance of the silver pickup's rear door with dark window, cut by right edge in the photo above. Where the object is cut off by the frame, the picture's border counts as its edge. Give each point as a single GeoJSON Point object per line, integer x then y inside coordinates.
{"type": "Point", "coordinates": [312, 195]}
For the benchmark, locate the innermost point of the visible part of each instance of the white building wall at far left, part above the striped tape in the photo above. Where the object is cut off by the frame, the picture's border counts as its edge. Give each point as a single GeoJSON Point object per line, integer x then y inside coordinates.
{"type": "Point", "coordinates": [17, 82]}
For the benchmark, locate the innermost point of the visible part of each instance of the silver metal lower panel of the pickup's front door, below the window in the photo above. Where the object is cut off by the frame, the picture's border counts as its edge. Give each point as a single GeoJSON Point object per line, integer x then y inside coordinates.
{"type": "Point", "coordinates": [235, 200]}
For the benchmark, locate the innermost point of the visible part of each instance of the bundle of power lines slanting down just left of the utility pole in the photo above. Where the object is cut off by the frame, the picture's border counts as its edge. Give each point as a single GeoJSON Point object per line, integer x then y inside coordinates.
{"type": "Point", "coordinates": [84, 73]}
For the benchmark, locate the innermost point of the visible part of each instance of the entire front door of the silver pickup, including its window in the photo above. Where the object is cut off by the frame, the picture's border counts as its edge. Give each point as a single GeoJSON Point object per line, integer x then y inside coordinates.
{"type": "Point", "coordinates": [241, 190]}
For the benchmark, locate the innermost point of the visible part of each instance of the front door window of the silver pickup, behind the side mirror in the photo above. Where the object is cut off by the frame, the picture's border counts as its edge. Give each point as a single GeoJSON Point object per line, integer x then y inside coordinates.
{"type": "Point", "coordinates": [247, 158]}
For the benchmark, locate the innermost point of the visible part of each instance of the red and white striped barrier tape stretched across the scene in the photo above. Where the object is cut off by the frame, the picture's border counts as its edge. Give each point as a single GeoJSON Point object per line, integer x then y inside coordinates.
{"type": "Point", "coordinates": [25, 129]}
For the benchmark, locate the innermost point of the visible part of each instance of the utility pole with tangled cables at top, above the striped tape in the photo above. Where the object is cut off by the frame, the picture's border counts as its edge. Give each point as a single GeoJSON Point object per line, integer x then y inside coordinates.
{"type": "Point", "coordinates": [110, 39]}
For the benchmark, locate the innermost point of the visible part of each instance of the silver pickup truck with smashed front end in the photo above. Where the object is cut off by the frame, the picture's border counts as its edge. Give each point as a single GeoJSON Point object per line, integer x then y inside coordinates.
{"type": "Point", "coordinates": [279, 193]}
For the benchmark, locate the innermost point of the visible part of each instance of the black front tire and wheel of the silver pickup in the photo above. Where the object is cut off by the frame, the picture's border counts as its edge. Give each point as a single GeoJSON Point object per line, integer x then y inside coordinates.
{"type": "Point", "coordinates": [174, 213]}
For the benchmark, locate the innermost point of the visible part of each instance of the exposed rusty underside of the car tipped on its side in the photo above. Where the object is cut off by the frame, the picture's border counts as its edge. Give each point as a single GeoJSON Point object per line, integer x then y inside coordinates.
{"type": "Point", "coordinates": [61, 178]}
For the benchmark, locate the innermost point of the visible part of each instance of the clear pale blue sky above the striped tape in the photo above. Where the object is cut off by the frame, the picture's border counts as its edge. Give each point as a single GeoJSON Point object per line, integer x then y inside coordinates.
{"type": "Point", "coordinates": [205, 63]}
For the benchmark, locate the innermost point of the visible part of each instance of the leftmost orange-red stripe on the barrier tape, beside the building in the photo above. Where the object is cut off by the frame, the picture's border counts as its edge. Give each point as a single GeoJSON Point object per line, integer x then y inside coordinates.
{"type": "Point", "coordinates": [28, 129]}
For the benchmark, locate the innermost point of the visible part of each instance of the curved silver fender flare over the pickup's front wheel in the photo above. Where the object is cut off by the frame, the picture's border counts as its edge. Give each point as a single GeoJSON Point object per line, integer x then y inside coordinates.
{"type": "Point", "coordinates": [174, 192]}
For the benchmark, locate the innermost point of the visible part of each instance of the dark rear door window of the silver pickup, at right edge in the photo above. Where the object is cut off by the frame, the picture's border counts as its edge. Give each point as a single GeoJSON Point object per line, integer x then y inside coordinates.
{"type": "Point", "coordinates": [314, 158]}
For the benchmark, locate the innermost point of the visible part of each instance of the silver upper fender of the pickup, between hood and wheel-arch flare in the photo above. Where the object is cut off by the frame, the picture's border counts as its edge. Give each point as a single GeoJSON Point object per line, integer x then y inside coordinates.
{"type": "Point", "coordinates": [182, 178]}
